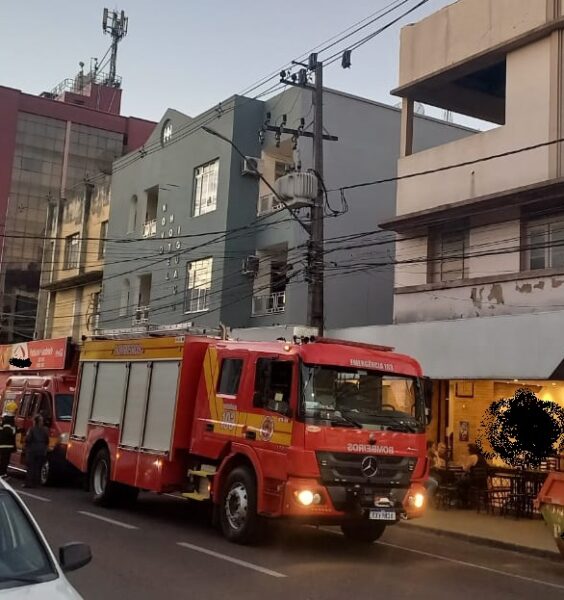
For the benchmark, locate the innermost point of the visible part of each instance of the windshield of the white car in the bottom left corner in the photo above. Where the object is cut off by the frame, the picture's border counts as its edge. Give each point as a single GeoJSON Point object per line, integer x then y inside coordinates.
{"type": "Point", "coordinates": [23, 558]}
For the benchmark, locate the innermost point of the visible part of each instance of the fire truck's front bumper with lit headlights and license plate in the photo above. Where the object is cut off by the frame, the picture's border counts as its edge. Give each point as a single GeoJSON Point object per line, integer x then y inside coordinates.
{"type": "Point", "coordinates": [308, 500]}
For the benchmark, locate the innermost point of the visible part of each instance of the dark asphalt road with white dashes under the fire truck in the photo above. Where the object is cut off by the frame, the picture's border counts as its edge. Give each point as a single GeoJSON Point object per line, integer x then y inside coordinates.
{"type": "Point", "coordinates": [165, 548]}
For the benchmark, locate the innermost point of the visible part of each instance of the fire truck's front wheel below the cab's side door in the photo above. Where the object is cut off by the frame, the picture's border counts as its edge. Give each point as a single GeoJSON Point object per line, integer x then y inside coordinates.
{"type": "Point", "coordinates": [238, 516]}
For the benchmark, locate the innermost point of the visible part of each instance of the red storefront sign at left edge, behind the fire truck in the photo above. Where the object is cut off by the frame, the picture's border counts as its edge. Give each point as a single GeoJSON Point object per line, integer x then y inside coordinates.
{"type": "Point", "coordinates": [40, 355]}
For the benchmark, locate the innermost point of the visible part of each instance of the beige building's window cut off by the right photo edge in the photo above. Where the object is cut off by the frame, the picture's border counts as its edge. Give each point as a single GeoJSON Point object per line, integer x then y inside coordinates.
{"type": "Point", "coordinates": [544, 239]}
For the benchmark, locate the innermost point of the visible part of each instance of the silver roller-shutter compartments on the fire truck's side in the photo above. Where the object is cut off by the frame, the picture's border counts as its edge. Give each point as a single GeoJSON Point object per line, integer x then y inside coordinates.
{"type": "Point", "coordinates": [149, 389]}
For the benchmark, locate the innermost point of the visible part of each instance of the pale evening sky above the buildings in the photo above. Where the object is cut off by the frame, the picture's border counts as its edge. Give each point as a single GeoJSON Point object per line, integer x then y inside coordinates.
{"type": "Point", "coordinates": [190, 55]}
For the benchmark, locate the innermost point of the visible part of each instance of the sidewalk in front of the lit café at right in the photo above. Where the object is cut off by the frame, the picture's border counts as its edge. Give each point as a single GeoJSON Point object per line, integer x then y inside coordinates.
{"type": "Point", "coordinates": [523, 535]}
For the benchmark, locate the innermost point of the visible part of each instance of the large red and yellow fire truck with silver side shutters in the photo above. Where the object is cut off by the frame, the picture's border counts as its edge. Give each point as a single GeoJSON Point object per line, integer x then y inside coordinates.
{"type": "Point", "coordinates": [326, 432]}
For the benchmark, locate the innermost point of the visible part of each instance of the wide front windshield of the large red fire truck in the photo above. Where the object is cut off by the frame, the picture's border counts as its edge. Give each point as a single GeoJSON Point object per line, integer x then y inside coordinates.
{"type": "Point", "coordinates": [360, 398]}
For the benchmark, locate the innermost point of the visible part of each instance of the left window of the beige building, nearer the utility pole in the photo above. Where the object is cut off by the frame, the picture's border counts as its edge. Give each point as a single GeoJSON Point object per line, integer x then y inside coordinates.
{"type": "Point", "coordinates": [448, 260]}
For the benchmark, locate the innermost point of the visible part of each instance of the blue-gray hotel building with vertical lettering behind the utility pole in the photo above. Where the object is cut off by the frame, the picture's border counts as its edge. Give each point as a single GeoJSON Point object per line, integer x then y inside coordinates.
{"type": "Point", "coordinates": [195, 237]}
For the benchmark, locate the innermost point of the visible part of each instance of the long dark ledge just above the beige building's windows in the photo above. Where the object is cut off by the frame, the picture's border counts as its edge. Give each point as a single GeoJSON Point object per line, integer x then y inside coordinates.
{"type": "Point", "coordinates": [545, 190]}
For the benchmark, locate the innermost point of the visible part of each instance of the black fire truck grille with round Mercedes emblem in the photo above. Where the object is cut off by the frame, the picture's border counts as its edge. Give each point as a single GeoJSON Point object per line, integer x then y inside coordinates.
{"type": "Point", "coordinates": [362, 469]}
